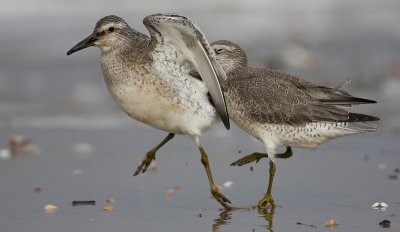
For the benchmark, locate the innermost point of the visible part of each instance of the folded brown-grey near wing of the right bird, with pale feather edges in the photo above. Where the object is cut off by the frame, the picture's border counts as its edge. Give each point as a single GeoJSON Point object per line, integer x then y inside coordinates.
{"type": "Point", "coordinates": [269, 100]}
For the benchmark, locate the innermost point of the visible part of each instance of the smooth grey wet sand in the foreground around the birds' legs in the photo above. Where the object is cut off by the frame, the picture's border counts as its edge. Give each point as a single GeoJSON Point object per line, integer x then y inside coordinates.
{"type": "Point", "coordinates": [339, 180]}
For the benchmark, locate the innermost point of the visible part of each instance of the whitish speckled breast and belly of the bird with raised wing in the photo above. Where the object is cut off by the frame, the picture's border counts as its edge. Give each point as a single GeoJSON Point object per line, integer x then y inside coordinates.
{"type": "Point", "coordinates": [163, 96]}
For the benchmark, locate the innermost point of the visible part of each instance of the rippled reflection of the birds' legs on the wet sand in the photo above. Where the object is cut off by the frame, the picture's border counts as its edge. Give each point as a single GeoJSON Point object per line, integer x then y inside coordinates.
{"type": "Point", "coordinates": [226, 215]}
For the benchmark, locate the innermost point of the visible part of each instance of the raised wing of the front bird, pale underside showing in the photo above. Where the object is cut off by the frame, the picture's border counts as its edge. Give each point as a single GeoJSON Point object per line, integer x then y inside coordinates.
{"type": "Point", "coordinates": [180, 32]}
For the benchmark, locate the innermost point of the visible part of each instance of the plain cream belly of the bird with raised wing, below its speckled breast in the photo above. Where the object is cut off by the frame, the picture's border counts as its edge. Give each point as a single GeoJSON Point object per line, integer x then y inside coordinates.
{"type": "Point", "coordinates": [168, 113]}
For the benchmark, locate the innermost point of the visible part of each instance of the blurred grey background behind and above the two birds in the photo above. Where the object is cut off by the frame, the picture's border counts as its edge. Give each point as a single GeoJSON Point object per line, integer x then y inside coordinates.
{"type": "Point", "coordinates": [326, 41]}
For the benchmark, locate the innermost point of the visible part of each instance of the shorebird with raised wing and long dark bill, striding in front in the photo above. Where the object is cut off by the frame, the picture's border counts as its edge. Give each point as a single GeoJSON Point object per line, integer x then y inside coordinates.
{"type": "Point", "coordinates": [151, 79]}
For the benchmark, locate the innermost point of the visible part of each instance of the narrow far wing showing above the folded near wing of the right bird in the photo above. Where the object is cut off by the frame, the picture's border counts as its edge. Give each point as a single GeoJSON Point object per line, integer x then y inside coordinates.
{"type": "Point", "coordinates": [329, 95]}
